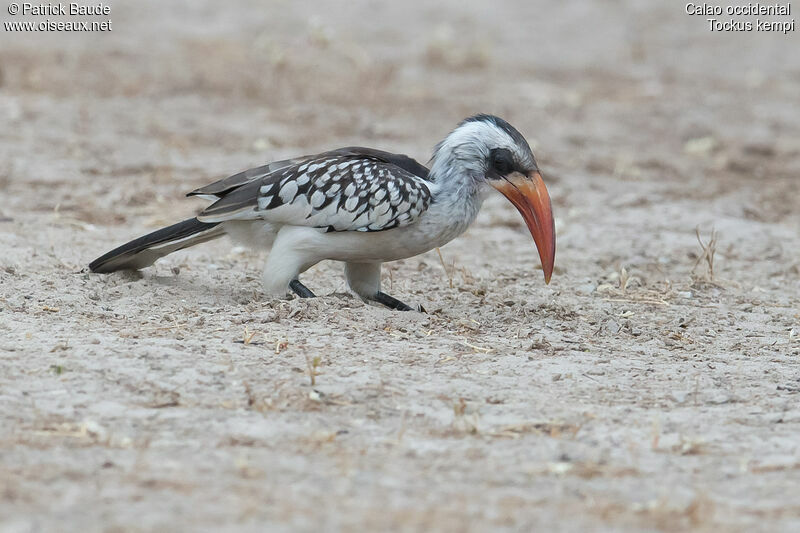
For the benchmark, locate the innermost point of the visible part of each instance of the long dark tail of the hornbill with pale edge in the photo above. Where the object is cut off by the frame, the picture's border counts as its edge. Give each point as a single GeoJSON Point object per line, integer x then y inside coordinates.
{"type": "Point", "coordinates": [144, 251]}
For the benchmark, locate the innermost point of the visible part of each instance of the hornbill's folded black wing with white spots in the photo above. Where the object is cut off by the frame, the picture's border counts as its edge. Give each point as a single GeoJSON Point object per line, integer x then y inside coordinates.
{"type": "Point", "coordinates": [338, 191]}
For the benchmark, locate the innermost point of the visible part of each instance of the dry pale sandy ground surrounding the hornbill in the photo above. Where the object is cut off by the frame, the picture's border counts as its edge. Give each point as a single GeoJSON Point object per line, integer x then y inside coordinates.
{"type": "Point", "coordinates": [654, 398]}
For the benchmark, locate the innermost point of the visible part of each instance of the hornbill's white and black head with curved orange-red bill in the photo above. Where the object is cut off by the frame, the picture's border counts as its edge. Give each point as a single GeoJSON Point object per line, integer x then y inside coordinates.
{"type": "Point", "coordinates": [494, 154]}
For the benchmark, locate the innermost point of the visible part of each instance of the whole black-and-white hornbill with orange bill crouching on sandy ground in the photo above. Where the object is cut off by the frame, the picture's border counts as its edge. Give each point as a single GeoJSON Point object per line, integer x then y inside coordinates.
{"type": "Point", "coordinates": [360, 206]}
